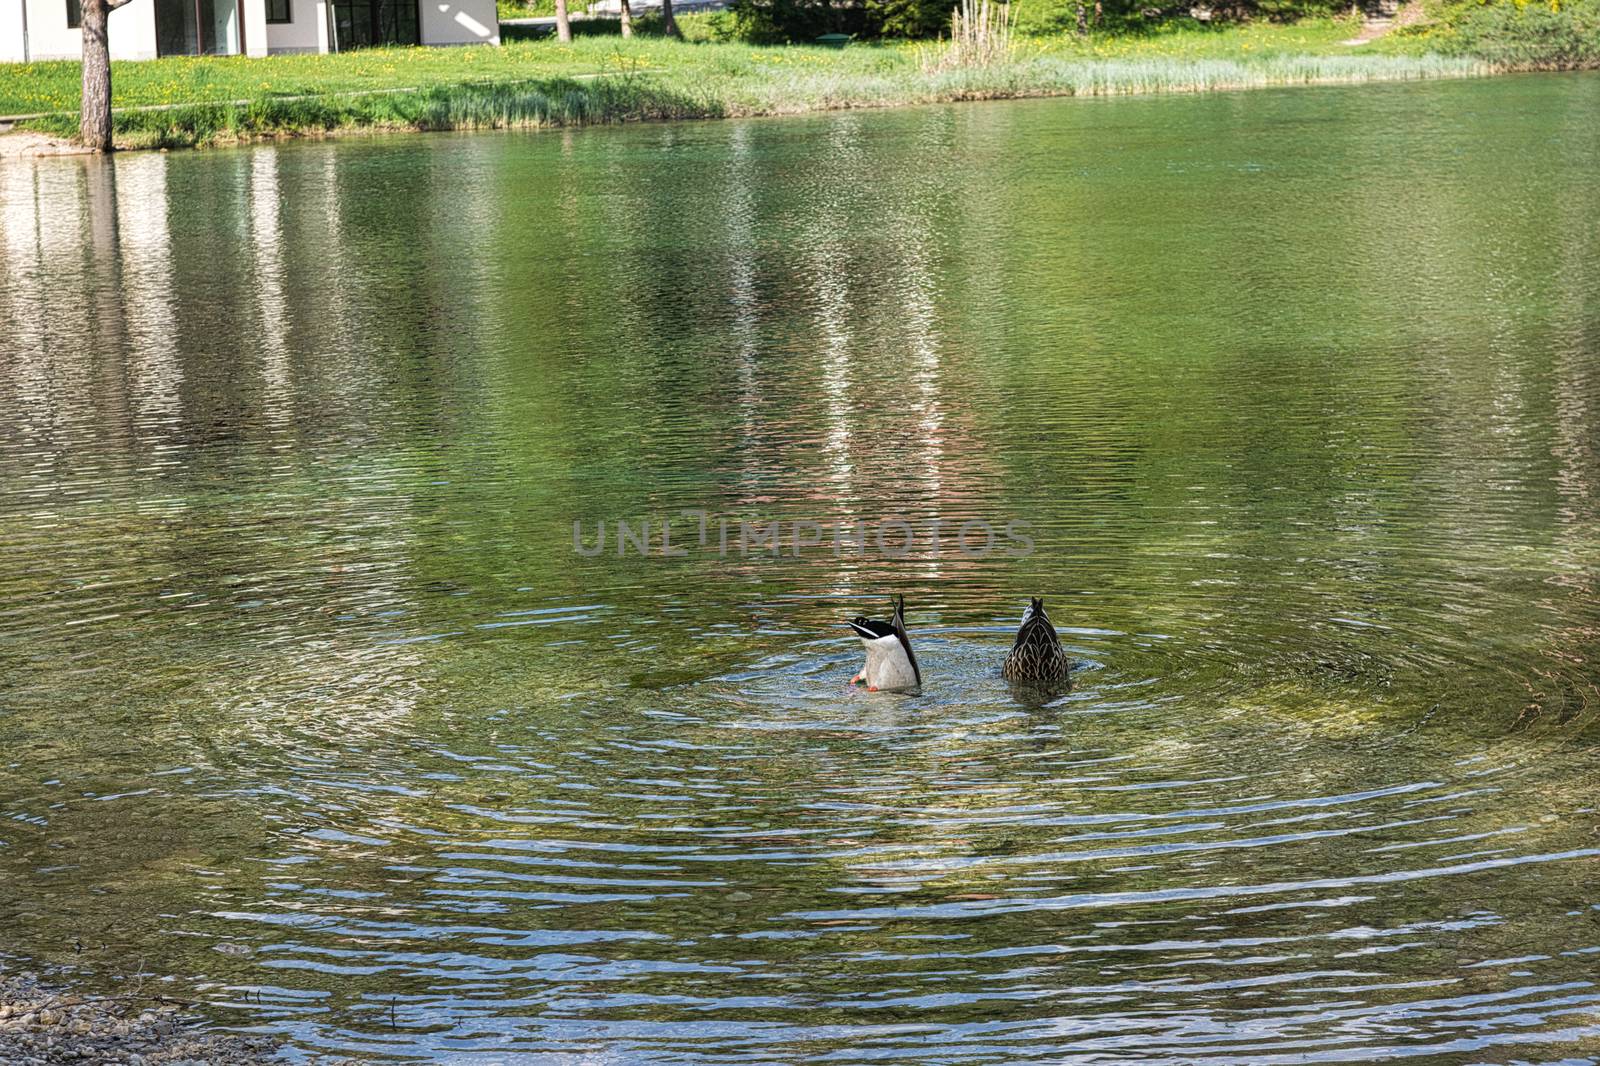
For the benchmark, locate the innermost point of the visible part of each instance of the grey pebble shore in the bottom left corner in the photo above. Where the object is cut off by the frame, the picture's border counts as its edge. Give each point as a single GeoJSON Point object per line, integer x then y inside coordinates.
{"type": "Point", "coordinates": [44, 1027]}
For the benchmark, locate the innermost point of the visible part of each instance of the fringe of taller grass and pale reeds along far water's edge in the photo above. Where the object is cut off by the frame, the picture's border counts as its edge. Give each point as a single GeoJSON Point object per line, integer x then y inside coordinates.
{"type": "Point", "coordinates": [618, 100]}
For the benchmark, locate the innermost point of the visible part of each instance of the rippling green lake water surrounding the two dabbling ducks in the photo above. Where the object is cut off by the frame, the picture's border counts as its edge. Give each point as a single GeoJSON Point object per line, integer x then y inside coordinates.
{"type": "Point", "coordinates": [311, 710]}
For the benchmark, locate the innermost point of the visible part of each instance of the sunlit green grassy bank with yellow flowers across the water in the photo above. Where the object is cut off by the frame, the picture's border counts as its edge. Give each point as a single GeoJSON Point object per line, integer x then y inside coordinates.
{"type": "Point", "coordinates": [604, 79]}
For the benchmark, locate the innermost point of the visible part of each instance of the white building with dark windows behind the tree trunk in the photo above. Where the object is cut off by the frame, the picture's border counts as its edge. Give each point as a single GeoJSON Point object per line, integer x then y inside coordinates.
{"type": "Point", "coordinates": [145, 30]}
